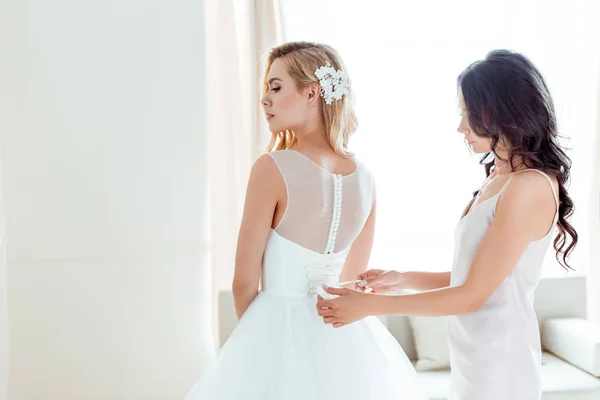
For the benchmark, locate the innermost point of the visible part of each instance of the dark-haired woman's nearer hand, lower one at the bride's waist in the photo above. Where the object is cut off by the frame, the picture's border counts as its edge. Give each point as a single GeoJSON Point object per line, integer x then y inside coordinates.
{"type": "Point", "coordinates": [350, 306]}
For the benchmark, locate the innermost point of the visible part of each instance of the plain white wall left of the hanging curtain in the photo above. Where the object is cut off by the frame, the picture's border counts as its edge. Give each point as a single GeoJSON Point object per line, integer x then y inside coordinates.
{"type": "Point", "coordinates": [104, 171]}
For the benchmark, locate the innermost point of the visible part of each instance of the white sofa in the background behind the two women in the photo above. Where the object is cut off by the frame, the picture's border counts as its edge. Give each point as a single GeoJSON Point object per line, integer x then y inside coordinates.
{"type": "Point", "coordinates": [571, 359]}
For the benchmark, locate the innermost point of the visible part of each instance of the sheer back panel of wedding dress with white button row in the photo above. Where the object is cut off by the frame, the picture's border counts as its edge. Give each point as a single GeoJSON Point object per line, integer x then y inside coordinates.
{"type": "Point", "coordinates": [325, 212]}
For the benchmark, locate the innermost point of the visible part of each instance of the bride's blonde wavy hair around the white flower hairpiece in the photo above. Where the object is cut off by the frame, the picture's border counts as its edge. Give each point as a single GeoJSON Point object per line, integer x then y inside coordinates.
{"type": "Point", "coordinates": [339, 120]}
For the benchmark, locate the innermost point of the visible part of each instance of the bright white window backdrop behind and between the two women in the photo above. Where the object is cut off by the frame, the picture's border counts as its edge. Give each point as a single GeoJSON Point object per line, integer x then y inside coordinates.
{"type": "Point", "coordinates": [403, 59]}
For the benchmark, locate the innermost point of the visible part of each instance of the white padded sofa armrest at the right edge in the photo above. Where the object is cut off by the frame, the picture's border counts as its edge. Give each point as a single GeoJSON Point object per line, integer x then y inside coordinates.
{"type": "Point", "coordinates": [575, 340]}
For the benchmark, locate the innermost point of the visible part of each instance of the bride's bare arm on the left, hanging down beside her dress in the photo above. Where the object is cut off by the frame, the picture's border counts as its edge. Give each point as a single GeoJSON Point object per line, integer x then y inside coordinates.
{"type": "Point", "coordinates": [261, 200]}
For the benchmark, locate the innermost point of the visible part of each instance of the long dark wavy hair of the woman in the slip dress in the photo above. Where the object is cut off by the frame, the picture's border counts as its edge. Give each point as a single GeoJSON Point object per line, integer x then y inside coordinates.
{"type": "Point", "coordinates": [508, 101]}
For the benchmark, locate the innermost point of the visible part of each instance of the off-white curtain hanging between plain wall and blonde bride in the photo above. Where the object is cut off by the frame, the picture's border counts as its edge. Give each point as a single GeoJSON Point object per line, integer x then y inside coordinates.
{"type": "Point", "coordinates": [238, 36]}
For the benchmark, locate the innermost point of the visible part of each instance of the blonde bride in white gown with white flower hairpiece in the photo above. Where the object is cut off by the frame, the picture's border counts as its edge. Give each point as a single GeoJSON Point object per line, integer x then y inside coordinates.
{"type": "Point", "coordinates": [308, 221]}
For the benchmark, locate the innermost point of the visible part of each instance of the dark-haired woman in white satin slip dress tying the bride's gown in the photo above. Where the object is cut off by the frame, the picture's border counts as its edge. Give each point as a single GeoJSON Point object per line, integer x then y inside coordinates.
{"type": "Point", "coordinates": [500, 242]}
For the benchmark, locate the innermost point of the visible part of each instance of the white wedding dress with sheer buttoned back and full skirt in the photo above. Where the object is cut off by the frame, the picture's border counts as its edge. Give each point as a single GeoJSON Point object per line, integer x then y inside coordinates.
{"type": "Point", "coordinates": [281, 349]}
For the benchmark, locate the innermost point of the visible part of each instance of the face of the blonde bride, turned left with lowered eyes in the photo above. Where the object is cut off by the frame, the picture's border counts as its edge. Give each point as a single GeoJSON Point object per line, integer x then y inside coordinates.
{"type": "Point", "coordinates": [285, 106]}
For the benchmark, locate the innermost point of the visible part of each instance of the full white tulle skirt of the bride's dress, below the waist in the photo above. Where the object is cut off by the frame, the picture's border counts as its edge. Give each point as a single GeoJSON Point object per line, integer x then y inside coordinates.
{"type": "Point", "coordinates": [282, 350]}
